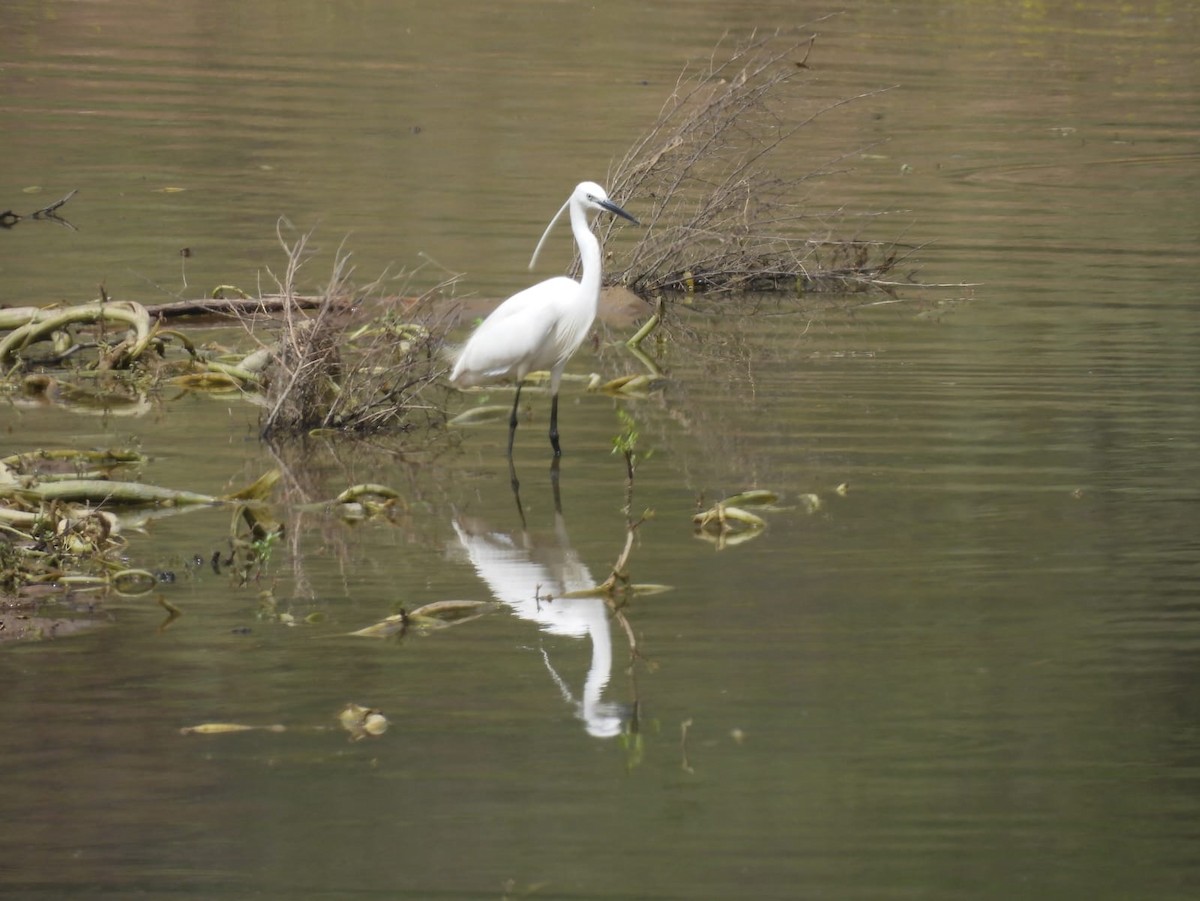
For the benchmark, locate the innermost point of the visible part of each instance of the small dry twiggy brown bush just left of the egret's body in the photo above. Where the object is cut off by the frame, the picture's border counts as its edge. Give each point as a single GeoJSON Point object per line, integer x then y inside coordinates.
{"type": "Point", "coordinates": [350, 368]}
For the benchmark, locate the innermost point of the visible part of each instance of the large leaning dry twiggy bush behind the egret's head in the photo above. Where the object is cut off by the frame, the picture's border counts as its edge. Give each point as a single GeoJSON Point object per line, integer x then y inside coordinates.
{"type": "Point", "coordinates": [721, 220]}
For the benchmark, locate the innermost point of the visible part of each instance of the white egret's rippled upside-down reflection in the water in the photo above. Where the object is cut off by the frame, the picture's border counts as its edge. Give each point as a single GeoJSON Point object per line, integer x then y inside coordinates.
{"type": "Point", "coordinates": [531, 575]}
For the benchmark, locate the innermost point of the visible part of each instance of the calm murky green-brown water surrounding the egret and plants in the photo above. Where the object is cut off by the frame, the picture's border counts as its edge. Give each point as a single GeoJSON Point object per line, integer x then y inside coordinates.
{"type": "Point", "coordinates": [970, 676]}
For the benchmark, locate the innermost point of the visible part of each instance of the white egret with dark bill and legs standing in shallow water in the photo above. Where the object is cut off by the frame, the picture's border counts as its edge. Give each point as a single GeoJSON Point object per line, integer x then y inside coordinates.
{"type": "Point", "coordinates": [542, 327]}
